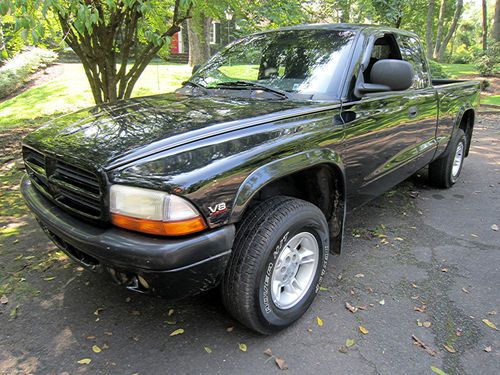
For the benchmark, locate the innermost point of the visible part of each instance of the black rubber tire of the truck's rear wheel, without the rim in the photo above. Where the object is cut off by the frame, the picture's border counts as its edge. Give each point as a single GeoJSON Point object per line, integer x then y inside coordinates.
{"type": "Point", "coordinates": [441, 170]}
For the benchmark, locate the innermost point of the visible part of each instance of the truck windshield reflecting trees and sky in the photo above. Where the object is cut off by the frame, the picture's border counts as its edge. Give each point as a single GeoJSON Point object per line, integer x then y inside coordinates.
{"type": "Point", "coordinates": [290, 61]}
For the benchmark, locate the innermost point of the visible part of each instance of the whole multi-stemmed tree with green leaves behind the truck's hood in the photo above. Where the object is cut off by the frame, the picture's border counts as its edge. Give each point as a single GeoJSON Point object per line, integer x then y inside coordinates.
{"type": "Point", "coordinates": [106, 34]}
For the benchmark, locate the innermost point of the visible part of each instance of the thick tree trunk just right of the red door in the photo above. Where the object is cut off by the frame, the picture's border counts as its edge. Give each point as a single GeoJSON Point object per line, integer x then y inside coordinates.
{"type": "Point", "coordinates": [199, 38]}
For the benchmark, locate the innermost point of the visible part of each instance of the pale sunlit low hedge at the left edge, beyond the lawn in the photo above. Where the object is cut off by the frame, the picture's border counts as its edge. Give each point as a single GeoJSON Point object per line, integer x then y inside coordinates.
{"type": "Point", "coordinates": [17, 70]}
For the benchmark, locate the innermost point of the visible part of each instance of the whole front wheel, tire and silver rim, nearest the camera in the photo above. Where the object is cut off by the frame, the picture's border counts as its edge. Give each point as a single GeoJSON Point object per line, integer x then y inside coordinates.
{"type": "Point", "coordinates": [279, 259]}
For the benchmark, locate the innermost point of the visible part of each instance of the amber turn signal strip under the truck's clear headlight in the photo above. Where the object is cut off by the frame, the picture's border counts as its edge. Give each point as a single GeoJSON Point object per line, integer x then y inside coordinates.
{"type": "Point", "coordinates": [161, 228]}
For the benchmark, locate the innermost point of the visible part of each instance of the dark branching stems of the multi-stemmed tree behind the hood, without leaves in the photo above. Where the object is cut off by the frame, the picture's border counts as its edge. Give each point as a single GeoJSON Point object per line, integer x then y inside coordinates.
{"type": "Point", "coordinates": [112, 39]}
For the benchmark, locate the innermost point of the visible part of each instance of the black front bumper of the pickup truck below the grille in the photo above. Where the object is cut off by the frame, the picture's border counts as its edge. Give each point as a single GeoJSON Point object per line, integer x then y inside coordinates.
{"type": "Point", "coordinates": [170, 267]}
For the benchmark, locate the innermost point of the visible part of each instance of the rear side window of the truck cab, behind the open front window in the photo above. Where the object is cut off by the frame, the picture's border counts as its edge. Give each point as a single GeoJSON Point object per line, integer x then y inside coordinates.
{"type": "Point", "coordinates": [412, 52]}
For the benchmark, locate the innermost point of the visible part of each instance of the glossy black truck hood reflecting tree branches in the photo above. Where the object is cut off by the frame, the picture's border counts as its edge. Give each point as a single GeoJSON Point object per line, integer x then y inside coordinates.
{"type": "Point", "coordinates": [110, 135]}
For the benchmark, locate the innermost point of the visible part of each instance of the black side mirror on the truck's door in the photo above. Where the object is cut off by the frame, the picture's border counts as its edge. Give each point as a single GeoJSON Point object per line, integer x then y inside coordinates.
{"type": "Point", "coordinates": [388, 75]}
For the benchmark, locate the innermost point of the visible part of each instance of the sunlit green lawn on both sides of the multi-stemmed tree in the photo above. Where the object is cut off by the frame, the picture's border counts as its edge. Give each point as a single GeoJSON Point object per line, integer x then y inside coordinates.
{"type": "Point", "coordinates": [70, 91]}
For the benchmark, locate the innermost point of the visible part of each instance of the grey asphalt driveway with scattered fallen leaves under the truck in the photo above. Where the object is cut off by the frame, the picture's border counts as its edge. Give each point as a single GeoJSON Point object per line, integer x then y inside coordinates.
{"type": "Point", "coordinates": [413, 247]}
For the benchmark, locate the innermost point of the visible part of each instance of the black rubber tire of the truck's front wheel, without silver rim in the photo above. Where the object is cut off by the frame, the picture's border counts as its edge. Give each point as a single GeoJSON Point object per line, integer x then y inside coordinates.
{"type": "Point", "coordinates": [259, 241]}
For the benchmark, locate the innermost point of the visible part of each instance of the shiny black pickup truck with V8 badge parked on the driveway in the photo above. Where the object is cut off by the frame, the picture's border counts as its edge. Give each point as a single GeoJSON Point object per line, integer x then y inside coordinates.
{"type": "Point", "coordinates": [242, 178]}
